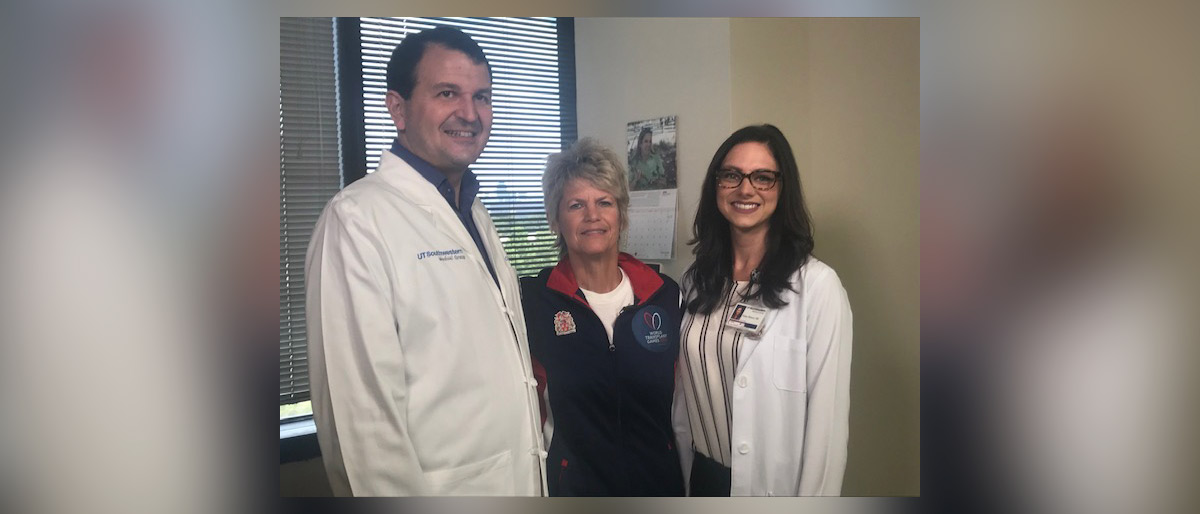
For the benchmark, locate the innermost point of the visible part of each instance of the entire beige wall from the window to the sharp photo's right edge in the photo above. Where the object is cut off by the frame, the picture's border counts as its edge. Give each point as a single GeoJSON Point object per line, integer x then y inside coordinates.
{"type": "Point", "coordinates": [847, 93]}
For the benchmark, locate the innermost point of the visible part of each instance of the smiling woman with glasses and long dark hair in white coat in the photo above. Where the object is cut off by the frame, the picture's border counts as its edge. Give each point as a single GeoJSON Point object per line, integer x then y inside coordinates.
{"type": "Point", "coordinates": [763, 398]}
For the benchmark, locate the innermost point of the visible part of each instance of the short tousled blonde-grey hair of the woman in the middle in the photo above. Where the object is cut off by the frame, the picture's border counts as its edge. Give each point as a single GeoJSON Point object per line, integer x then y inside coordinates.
{"type": "Point", "coordinates": [591, 162]}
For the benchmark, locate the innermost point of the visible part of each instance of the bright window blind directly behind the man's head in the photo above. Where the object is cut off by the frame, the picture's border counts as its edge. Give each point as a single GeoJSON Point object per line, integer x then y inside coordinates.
{"type": "Point", "coordinates": [524, 53]}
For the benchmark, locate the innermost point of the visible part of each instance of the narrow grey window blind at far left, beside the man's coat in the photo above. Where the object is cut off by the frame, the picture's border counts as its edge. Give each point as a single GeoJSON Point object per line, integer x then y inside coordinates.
{"type": "Point", "coordinates": [310, 175]}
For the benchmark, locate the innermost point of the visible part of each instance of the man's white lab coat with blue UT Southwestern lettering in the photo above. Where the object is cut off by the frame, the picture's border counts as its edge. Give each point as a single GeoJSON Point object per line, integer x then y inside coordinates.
{"type": "Point", "coordinates": [419, 367]}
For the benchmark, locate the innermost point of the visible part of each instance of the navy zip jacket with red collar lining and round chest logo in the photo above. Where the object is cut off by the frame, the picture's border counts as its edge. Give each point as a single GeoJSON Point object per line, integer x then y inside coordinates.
{"type": "Point", "coordinates": [607, 409]}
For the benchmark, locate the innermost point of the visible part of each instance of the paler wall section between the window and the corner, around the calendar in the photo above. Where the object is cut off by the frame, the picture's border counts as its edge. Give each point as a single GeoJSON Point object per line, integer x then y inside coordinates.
{"type": "Point", "coordinates": [638, 69]}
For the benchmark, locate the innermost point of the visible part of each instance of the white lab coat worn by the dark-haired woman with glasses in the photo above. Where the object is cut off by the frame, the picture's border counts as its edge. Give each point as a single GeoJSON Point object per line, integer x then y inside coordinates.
{"type": "Point", "coordinates": [790, 396]}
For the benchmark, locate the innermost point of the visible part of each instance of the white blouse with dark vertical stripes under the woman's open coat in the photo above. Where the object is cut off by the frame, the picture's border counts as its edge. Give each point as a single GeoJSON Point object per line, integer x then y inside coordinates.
{"type": "Point", "coordinates": [709, 364]}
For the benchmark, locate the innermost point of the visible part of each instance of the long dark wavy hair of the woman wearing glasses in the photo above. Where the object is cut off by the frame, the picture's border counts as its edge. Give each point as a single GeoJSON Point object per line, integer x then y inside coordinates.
{"type": "Point", "coordinates": [789, 236]}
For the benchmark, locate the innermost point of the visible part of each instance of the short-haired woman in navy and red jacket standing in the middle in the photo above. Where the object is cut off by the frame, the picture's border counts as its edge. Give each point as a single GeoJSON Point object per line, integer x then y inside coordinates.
{"type": "Point", "coordinates": [604, 333]}
